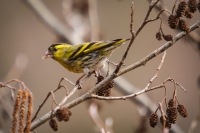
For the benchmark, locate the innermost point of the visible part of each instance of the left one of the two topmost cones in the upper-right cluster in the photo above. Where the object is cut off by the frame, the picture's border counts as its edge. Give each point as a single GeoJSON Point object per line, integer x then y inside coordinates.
{"type": "Point", "coordinates": [182, 7]}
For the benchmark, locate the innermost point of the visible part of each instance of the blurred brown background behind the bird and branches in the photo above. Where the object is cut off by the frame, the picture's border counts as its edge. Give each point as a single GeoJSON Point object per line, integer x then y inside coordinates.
{"type": "Point", "coordinates": [24, 38]}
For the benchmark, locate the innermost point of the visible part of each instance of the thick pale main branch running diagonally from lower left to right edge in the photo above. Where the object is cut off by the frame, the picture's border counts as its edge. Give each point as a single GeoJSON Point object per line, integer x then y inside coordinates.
{"type": "Point", "coordinates": [87, 95]}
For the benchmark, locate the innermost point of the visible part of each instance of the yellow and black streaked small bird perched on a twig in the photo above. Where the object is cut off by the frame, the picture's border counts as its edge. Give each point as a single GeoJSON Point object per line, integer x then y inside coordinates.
{"type": "Point", "coordinates": [83, 58]}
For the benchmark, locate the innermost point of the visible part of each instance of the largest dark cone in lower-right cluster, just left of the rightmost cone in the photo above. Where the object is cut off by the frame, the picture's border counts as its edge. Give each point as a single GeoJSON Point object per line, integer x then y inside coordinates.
{"type": "Point", "coordinates": [172, 114]}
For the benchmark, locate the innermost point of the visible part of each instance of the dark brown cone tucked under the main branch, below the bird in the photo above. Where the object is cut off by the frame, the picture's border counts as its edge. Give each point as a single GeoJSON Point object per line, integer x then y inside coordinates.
{"type": "Point", "coordinates": [105, 90]}
